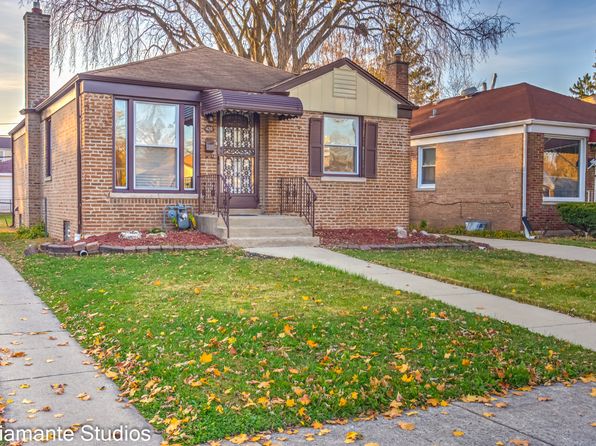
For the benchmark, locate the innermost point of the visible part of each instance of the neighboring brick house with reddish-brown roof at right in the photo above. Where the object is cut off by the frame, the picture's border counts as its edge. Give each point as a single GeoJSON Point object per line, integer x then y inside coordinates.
{"type": "Point", "coordinates": [499, 155]}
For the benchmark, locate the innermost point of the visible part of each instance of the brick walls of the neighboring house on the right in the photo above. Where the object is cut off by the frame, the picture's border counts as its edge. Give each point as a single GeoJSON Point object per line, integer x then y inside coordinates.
{"type": "Point", "coordinates": [482, 179]}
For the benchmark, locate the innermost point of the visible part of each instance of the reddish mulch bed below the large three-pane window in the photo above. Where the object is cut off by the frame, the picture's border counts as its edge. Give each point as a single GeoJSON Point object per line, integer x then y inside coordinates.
{"type": "Point", "coordinates": [175, 238]}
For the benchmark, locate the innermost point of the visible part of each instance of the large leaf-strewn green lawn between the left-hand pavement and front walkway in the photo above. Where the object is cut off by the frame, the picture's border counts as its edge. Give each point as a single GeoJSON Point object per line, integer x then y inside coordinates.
{"type": "Point", "coordinates": [290, 342]}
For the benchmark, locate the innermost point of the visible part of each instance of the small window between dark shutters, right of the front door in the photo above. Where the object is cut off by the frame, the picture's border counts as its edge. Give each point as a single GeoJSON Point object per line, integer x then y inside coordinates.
{"type": "Point", "coordinates": [341, 145]}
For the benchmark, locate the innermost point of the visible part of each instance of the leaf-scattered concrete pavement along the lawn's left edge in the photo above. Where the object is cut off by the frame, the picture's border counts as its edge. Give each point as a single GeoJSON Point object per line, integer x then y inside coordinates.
{"type": "Point", "coordinates": [36, 354]}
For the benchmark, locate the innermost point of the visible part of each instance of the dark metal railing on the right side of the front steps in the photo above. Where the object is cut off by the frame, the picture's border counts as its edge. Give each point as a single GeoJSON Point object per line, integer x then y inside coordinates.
{"type": "Point", "coordinates": [297, 197]}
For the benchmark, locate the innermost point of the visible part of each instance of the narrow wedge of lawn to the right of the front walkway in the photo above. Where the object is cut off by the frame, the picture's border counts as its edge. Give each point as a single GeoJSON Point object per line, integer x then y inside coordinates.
{"type": "Point", "coordinates": [560, 285]}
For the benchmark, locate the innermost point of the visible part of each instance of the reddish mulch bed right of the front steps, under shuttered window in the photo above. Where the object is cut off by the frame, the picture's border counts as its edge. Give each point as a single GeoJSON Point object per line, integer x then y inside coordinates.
{"type": "Point", "coordinates": [382, 238]}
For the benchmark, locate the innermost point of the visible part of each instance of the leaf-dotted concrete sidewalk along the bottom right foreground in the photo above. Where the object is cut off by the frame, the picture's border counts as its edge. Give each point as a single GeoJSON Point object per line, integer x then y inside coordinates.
{"type": "Point", "coordinates": [561, 417]}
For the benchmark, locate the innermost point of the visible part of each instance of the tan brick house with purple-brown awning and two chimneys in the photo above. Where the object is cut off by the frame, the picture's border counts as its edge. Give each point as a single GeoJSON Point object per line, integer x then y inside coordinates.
{"type": "Point", "coordinates": [112, 147]}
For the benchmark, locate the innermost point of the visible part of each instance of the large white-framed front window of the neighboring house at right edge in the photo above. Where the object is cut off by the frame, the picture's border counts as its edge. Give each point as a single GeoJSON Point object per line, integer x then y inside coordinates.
{"type": "Point", "coordinates": [564, 168]}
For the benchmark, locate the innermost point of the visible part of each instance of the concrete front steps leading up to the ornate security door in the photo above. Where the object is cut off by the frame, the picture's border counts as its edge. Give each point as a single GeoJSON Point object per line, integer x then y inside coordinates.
{"type": "Point", "coordinates": [251, 229]}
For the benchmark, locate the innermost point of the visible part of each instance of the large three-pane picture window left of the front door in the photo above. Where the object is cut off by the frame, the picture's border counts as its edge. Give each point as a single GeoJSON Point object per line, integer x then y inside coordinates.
{"type": "Point", "coordinates": [154, 146]}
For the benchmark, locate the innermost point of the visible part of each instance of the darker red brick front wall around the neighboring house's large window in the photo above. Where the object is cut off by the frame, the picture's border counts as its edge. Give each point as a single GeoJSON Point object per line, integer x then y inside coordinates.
{"type": "Point", "coordinates": [544, 216]}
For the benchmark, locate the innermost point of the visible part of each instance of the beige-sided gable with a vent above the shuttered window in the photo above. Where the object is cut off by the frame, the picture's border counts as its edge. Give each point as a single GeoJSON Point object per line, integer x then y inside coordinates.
{"type": "Point", "coordinates": [343, 90]}
